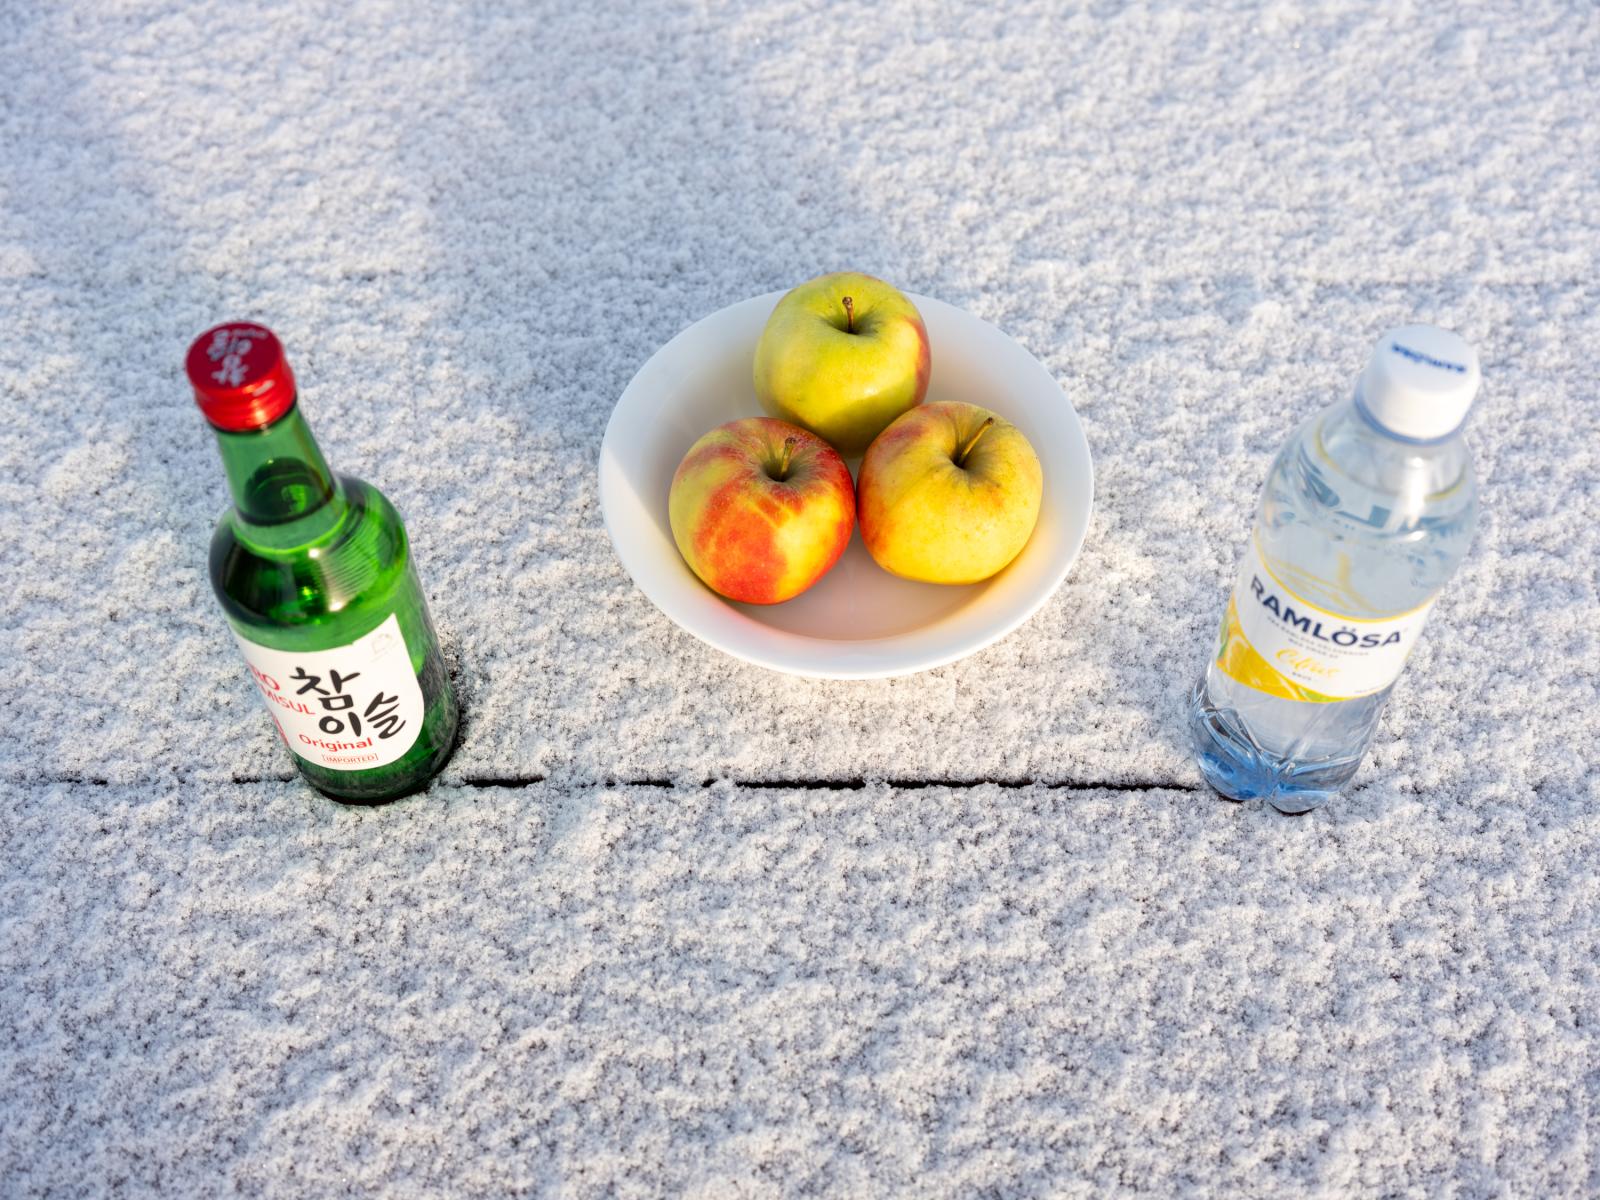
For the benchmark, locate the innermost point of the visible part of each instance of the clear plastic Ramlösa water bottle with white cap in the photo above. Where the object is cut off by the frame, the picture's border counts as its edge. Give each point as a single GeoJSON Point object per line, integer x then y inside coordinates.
{"type": "Point", "coordinates": [1366, 516]}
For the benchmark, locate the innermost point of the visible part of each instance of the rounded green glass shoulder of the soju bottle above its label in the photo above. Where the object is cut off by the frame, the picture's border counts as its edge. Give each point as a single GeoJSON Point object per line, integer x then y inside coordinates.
{"type": "Point", "coordinates": [345, 578]}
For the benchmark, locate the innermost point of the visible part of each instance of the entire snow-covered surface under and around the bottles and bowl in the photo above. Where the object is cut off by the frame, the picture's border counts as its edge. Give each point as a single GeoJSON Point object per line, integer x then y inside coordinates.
{"type": "Point", "coordinates": [471, 225]}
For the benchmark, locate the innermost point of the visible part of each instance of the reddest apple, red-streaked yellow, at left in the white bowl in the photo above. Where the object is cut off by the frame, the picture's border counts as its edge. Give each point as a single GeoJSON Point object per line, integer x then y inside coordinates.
{"type": "Point", "coordinates": [761, 510]}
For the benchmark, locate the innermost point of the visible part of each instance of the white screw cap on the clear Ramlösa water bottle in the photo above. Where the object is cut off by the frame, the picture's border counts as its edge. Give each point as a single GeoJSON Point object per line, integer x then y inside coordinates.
{"type": "Point", "coordinates": [1420, 383]}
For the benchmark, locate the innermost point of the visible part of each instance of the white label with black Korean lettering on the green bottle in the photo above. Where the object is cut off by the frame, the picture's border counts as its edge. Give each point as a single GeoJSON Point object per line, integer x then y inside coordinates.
{"type": "Point", "coordinates": [353, 708]}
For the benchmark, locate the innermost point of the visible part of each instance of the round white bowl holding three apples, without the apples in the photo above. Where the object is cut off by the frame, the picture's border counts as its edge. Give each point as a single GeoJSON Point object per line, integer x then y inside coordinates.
{"type": "Point", "coordinates": [858, 622]}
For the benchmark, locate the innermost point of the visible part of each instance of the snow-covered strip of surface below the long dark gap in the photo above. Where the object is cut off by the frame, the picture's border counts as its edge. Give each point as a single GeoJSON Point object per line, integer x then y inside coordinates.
{"type": "Point", "coordinates": [766, 991]}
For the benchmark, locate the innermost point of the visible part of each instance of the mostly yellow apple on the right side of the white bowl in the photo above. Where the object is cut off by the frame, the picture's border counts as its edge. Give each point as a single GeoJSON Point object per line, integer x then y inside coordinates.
{"type": "Point", "coordinates": [950, 495]}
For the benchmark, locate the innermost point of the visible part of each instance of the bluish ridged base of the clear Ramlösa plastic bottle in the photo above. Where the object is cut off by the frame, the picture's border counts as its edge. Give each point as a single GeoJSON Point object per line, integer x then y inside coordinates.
{"type": "Point", "coordinates": [1239, 770]}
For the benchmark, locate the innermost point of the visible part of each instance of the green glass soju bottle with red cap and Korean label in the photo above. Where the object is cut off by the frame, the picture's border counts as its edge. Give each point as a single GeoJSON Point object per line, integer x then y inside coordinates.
{"type": "Point", "coordinates": [314, 574]}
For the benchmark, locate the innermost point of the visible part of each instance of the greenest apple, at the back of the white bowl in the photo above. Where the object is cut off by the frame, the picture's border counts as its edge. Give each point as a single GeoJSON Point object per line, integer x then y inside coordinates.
{"type": "Point", "coordinates": [842, 356]}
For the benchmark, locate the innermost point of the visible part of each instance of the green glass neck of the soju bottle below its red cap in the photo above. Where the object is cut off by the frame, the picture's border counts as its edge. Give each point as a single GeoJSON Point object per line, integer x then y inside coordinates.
{"type": "Point", "coordinates": [284, 494]}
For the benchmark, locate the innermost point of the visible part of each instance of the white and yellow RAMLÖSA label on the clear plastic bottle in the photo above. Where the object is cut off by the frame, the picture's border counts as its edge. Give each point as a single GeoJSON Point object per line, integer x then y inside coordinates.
{"type": "Point", "coordinates": [1279, 642]}
